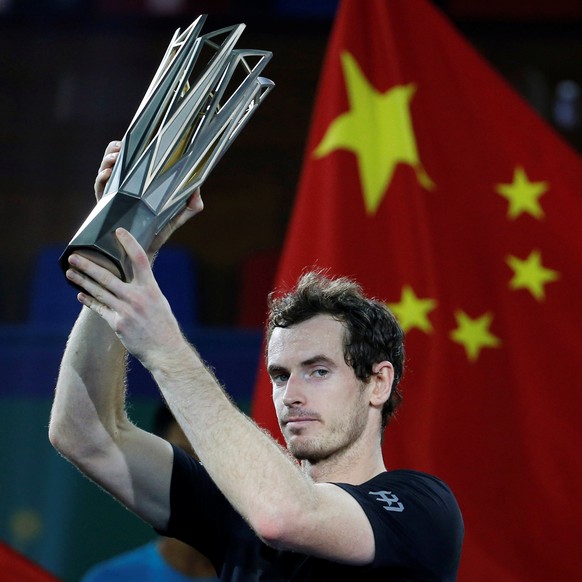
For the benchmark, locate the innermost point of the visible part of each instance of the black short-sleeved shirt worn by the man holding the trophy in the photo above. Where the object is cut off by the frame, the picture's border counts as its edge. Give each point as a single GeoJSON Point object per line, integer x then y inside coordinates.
{"type": "Point", "coordinates": [416, 521]}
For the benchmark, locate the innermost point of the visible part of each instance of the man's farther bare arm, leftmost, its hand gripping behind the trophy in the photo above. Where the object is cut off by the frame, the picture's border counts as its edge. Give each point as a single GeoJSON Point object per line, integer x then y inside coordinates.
{"type": "Point", "coordinates": [89, 424]}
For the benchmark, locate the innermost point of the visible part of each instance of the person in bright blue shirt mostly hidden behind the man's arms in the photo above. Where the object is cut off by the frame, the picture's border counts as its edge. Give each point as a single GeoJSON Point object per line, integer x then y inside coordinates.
{"type": "Point", "coordinates": [163, 559]}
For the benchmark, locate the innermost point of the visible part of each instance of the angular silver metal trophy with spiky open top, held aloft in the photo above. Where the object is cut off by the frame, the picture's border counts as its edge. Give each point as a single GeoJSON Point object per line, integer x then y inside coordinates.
{"type": "Point", "coordinates": [200, 98]}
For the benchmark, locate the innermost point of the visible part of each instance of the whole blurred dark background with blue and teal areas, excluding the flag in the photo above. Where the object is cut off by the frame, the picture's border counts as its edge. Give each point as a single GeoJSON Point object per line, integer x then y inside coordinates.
{"type": "Point", "coordinates": [72, 73]}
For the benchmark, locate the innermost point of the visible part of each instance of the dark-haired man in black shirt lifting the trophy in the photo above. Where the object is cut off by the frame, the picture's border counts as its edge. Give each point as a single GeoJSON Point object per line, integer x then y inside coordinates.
{"type": "Point", "coordinates": [329, 509]}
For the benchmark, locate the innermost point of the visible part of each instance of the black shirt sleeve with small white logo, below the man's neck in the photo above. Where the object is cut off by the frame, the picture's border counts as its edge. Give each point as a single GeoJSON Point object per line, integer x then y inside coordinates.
{"type": "Point", "coordinates": [416, 521]}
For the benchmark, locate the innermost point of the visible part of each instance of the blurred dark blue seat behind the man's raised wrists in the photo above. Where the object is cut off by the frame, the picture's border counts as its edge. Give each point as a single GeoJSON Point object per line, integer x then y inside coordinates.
{"type": "Point", "coordinates": [53, 301]}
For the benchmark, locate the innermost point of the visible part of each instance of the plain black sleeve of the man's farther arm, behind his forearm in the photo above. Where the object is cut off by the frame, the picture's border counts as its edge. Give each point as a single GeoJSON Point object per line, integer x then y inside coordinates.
{"type": "Point", "coordinates": [198, 510]}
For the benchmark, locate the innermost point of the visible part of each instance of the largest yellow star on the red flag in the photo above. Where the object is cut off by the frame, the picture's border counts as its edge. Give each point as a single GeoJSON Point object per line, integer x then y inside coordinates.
{"type": "Point", "coordinates": [378, 130]}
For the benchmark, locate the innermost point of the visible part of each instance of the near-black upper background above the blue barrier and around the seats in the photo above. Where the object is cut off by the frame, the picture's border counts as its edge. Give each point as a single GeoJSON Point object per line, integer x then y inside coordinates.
{"type": "Point", "coordinates": [73, 72]}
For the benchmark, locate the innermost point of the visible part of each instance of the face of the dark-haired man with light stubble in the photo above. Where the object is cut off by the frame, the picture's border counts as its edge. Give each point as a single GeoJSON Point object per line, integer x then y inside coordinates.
{"type": "Point", "coordinates": [321, 406]}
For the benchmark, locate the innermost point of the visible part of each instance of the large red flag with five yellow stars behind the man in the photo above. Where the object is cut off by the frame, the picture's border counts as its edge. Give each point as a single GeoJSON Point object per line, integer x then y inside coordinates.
{"type": "Point", "coordinates": [433, 184]}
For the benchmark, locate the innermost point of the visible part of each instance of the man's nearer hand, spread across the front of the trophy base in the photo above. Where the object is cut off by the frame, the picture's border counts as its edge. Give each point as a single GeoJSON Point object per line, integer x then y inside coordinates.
{"type": "Point", "coordinates": [136, 311]}
